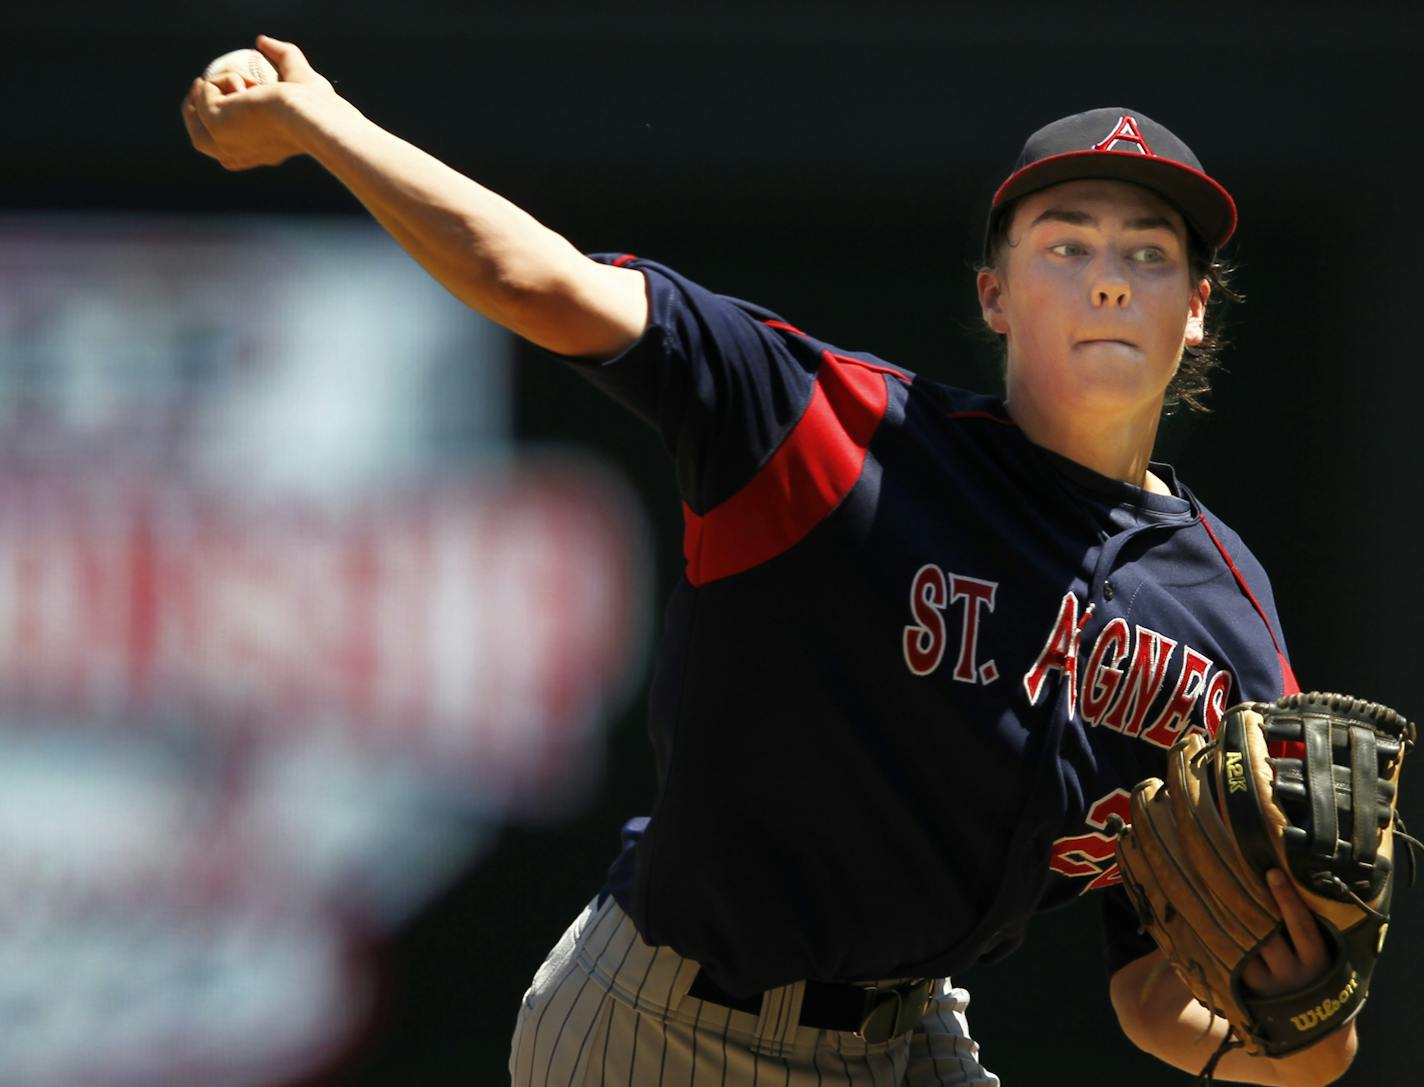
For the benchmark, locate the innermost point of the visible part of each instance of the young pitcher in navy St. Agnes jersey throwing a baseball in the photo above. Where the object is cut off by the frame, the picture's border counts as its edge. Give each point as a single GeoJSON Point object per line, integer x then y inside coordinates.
{"type": "Point", "coordinates": [926, 647]}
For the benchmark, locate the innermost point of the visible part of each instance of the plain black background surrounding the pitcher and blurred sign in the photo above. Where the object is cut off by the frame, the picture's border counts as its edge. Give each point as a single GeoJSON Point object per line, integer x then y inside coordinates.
{"type": "Point", "coordinates": [834, 163]}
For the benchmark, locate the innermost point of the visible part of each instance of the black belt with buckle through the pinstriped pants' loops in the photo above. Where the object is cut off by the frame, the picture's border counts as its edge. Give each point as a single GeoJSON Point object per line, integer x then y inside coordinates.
{"type": "Point", "coordinates": [872, 1014]}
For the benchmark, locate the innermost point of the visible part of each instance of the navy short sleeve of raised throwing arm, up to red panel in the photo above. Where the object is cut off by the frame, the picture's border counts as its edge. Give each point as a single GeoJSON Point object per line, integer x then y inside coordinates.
{"type": "Point", "coordinates": [723, 381]}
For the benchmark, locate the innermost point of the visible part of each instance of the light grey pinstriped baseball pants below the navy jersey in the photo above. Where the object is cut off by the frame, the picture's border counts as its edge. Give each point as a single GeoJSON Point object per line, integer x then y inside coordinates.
{"type": "Point", "coordinates": [609, 1011]}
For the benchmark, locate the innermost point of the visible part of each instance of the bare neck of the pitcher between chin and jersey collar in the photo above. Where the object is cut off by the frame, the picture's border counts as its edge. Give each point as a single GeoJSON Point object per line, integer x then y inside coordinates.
{"type": "Point", "coordinates": [1113, 444]}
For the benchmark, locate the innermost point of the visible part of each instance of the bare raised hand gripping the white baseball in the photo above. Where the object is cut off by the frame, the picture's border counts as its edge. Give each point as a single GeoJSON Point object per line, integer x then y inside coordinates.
{"type": "Point", "coordinates": [244, 126]}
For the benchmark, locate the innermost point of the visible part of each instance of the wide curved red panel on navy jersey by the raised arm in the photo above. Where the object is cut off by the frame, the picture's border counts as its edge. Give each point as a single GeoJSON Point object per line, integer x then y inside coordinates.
{"type": "Point", "coordinates": [804, 482]}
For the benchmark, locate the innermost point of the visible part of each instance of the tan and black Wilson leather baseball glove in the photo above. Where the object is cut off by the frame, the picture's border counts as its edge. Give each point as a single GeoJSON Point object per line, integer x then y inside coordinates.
{"type": "Point", "coordinates": [1307, 786]}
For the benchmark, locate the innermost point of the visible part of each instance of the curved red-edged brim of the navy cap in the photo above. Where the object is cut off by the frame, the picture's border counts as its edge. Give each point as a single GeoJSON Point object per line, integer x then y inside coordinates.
{"type": "Point", "coordinates": [1213, 206]}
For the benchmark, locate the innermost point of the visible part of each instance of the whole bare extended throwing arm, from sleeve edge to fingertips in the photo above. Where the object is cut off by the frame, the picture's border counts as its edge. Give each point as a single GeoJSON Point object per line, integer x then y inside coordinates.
{"type": "Point", "coordinates": [486, 251]}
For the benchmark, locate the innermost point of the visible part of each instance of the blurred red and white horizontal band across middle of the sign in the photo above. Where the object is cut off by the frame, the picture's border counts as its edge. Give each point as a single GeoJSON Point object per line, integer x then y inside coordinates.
{"type": "Point", "coordinates": [468, 630]}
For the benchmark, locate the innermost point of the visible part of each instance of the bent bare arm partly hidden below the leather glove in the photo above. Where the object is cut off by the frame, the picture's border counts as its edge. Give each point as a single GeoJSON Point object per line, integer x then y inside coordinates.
{"type": "Point", "coordinates": [1163, 1018]}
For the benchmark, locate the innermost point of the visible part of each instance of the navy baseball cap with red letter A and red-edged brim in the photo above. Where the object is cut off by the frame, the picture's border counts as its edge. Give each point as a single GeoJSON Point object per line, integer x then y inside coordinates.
{"type": "Point", "coordinates": [1120, 145]}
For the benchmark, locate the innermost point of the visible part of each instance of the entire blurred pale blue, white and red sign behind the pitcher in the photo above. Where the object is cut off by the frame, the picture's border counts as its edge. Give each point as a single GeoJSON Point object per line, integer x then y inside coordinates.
{"type": "Point", "coordinates": [288, 628]}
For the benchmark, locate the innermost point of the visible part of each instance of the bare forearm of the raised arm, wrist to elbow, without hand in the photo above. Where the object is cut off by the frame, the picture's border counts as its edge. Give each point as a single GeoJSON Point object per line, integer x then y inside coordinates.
{"type": "Point", "coordinates": [486, 251]}
